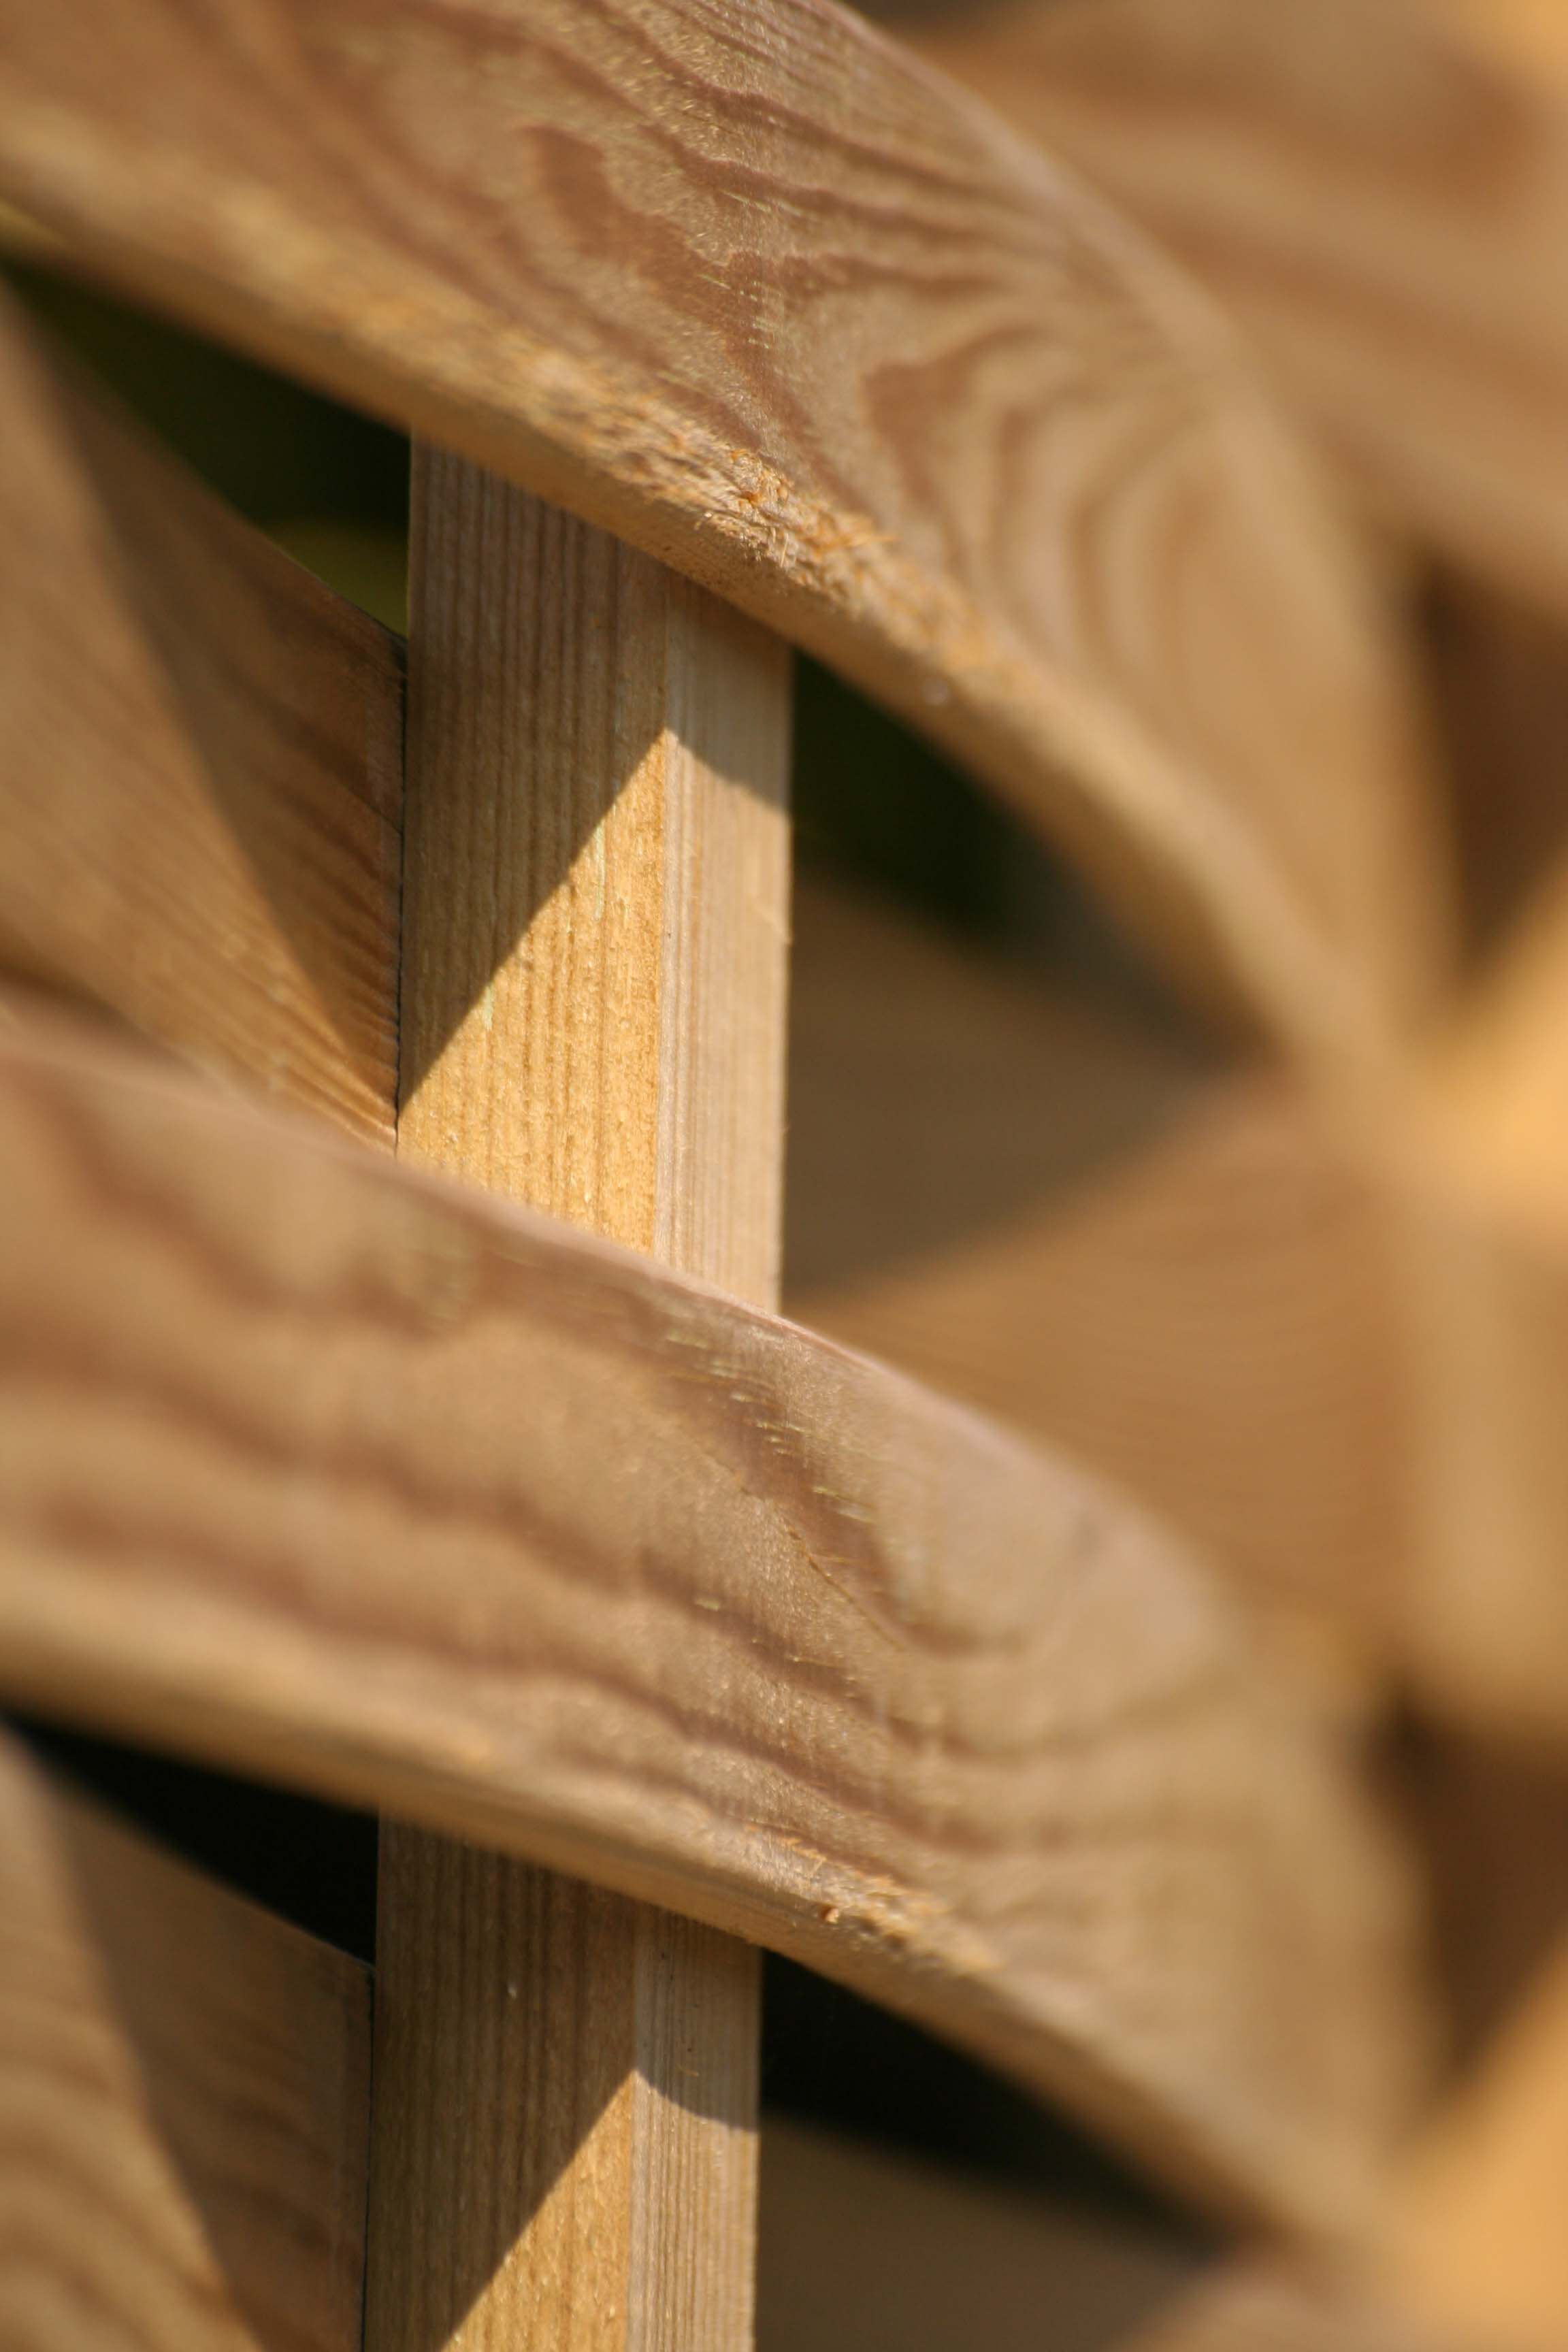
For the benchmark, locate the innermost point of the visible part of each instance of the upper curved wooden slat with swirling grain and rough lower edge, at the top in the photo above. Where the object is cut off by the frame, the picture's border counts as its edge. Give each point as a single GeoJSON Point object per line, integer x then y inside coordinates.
{"type": "Point", "coordinates": [758, 295]}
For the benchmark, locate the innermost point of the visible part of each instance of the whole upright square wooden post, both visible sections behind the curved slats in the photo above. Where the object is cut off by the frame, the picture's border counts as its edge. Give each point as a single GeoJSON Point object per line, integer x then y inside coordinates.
{"type": "Point", "coordinates": [596, 942]}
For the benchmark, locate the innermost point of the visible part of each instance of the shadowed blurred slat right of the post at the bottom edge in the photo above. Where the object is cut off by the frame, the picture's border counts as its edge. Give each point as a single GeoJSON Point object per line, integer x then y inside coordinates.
{"type": "Point", "coordinates": [866, 2250]}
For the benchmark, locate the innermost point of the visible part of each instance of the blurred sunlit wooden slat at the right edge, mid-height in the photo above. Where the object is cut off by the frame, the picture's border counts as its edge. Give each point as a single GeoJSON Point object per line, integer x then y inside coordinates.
{"type": "Point", "coordinates": [1477, 1163]}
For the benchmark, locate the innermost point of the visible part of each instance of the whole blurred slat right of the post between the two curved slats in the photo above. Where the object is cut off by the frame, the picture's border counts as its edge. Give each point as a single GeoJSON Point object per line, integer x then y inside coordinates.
{"type": "Point", "coordinates": [1207, 1316]}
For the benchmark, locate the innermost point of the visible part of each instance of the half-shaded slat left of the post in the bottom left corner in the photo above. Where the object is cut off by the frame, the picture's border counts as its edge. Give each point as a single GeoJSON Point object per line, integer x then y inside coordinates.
{"type": "Point", "coordinates": [185, 2102]}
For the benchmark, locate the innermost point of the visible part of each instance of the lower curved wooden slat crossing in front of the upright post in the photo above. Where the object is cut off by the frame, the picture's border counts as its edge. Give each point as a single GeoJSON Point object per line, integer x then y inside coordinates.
{"type": "Point", "coordinates": [413, 1497]}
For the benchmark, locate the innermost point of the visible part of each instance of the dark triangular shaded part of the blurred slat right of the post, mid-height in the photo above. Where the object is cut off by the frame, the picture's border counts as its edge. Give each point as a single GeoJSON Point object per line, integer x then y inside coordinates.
{"type": "Point", "coordinates": [942, 1093]}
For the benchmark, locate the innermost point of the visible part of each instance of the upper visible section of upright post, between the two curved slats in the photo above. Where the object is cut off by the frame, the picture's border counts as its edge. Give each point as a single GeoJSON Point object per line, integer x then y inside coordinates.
{"type": "Point", "coordinates": [598, 886]}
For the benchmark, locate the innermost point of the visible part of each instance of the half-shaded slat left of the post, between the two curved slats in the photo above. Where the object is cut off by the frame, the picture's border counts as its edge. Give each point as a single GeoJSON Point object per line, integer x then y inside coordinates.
{"type": "Point", "coordinates": [201, 759]}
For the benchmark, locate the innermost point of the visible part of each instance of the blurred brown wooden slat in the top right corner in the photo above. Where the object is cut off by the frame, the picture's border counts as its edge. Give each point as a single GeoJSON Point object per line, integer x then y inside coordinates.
{"type": "Point", "coordinates": [1379, 192]}
